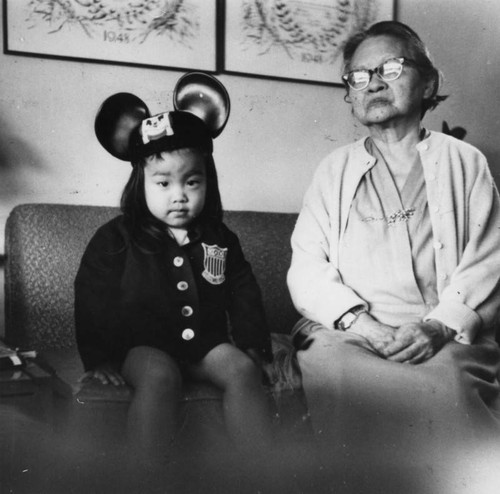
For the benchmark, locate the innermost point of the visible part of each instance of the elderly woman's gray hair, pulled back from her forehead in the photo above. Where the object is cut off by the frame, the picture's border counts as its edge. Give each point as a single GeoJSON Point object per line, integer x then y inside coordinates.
{"type": "Point", "coordinates": [419, 53]}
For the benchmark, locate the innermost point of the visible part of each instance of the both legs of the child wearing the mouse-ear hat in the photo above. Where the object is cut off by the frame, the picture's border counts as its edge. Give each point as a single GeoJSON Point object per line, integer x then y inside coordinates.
{"type": "Point", "coordinates": [157, 383]}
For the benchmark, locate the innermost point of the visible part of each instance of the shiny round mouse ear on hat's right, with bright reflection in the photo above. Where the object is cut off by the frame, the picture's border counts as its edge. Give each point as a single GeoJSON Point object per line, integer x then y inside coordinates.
{"type": "Point", "coordinates": [204, 96]}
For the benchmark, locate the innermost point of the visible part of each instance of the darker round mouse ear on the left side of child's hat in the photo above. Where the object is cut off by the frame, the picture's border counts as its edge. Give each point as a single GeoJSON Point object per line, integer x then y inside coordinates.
{"type": "Point", "coordinates": [118, 122]}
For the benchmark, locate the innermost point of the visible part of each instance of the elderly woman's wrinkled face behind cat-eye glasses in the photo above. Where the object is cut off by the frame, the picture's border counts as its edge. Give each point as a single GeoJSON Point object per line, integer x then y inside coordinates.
{"type": "Point", "coordinates": [387, 104]}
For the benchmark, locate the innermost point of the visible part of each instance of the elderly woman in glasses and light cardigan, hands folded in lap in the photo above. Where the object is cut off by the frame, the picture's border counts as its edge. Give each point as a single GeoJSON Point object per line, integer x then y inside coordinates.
{"type": "Point", "coordinates": [396, 269]}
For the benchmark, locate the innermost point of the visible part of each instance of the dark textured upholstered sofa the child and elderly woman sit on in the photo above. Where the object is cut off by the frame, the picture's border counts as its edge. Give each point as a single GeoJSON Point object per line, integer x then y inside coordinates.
{"type": "Point", "coordinates": [43, 247]}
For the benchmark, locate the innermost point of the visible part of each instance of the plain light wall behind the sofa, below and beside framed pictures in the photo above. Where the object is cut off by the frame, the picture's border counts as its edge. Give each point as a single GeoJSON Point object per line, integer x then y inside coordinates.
{"type": "Point", "coordinates": [277, 132]}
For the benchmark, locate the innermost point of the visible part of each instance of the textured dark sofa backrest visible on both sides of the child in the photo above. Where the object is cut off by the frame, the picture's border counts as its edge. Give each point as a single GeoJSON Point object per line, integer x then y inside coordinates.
{"type": "Point", "coordinates": [45, 242]}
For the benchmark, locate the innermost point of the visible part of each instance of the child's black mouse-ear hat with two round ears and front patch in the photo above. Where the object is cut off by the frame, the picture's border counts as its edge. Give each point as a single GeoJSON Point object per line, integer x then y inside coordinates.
{"type": "Point", "coordinates": [126, 129]}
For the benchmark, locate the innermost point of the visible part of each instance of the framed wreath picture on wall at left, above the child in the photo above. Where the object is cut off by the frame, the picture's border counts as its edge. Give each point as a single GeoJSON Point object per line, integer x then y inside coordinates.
{"type": "Point", "coordinates": [177, 34]}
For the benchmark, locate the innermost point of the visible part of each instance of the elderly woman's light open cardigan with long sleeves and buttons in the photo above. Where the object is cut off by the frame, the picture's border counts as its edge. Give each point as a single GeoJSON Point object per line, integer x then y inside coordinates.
{"type": "Point", "coordinates": [464, 207]}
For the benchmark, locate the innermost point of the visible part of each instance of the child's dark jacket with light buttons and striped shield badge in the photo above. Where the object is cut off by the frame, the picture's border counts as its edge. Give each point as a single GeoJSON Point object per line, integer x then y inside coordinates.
{"type": "Point", "coordinates": [125, 297]}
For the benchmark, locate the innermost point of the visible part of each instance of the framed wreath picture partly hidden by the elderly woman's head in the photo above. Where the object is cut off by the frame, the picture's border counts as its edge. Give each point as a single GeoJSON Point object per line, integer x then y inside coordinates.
{"type": "Point", "coordinates": [298, 40]}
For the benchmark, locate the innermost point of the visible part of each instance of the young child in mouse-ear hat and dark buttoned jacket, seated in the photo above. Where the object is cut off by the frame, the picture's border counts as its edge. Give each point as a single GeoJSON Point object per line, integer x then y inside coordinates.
{"type": "Point", "coordinates": [157, 284]}
